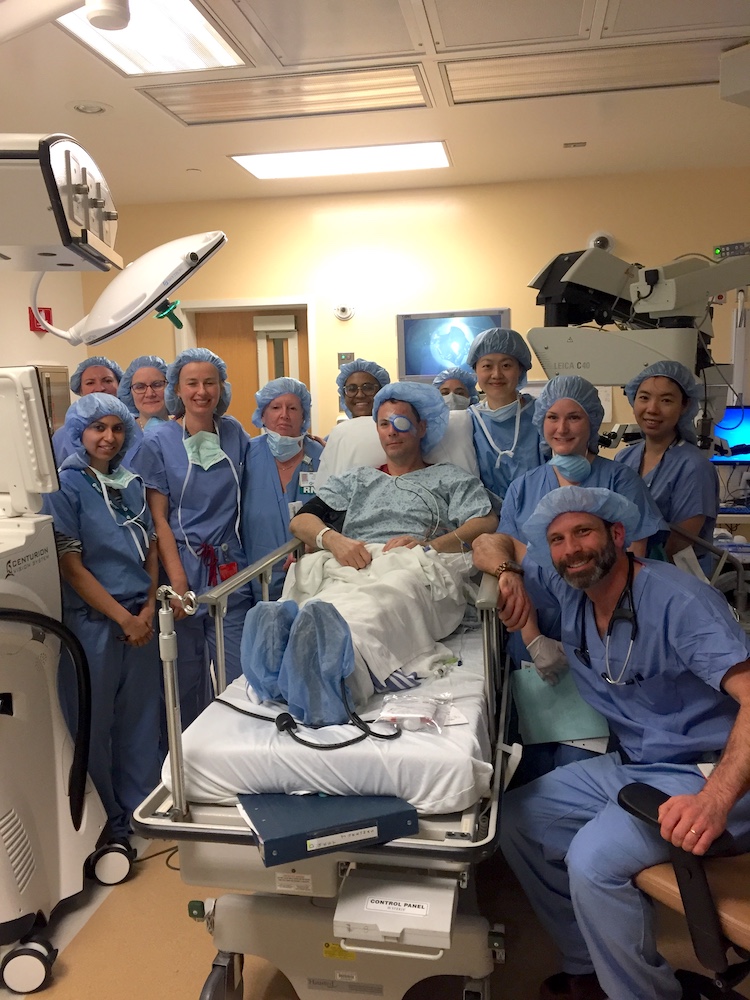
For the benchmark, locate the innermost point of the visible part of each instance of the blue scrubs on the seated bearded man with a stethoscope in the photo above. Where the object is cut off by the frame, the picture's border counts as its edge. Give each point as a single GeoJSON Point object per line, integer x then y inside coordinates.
{"type": "Point", "coordinates": [574, 850]}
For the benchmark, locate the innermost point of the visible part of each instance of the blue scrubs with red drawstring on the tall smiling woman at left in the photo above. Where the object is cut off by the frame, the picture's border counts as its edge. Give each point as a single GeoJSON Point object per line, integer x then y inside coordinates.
{"type": "Point", "coordinates": [204, 517]}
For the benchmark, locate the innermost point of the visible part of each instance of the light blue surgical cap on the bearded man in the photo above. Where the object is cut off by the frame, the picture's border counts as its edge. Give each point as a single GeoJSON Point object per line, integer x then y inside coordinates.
{"type": "Point", "coordinates": [606, 504]}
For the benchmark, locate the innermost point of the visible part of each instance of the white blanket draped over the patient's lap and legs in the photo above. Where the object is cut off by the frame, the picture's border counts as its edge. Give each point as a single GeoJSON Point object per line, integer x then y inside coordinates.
{"type": "Point", "coordinates": [397, 607]}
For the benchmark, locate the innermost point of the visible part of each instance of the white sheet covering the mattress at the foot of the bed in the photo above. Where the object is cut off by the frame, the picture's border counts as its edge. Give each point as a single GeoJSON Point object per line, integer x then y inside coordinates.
{"type": "Point", "coordinates": [226, 752]}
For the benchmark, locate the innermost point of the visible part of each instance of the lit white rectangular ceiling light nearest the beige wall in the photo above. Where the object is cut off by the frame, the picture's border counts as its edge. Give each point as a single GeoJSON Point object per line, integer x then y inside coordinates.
{"type": "Point", "coordinates": [354, 160]}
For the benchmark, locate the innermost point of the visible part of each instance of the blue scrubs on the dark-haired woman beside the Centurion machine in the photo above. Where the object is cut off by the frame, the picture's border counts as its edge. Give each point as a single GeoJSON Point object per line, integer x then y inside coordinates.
{"type": "Point", "coordinates": [124, 756]}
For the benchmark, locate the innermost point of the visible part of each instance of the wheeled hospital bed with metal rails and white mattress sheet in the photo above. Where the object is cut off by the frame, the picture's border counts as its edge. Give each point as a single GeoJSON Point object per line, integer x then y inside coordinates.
{"type": "Point", "coordinates": [316, 919]}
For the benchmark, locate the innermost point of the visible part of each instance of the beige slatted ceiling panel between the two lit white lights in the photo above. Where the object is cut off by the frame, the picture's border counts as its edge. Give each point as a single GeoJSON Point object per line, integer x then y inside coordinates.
{"type": "Point", "coordinates": [223, 101]}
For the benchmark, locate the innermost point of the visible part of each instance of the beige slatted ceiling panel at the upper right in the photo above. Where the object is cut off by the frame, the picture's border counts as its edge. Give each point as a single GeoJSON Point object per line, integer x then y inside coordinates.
{"type": "Point", "coordinates": [590, 71]}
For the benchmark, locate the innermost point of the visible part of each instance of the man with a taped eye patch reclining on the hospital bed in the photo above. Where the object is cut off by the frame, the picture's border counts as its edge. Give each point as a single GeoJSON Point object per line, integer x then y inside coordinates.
{"type": "Point", "coordinates": [391, 554]}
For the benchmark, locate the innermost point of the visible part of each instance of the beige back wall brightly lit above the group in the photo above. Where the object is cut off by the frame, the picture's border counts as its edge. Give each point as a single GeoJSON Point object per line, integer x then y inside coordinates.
{"type": "Point", "coordinates": [432, 250]}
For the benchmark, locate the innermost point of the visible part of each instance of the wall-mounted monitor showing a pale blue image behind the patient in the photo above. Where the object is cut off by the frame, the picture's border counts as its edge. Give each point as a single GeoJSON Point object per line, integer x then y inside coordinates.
{"type": "Point", "coordinates": [430, 342]}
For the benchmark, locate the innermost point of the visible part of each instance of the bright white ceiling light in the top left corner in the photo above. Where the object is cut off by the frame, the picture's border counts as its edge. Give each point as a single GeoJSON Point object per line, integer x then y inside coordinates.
{"type": "Point", "coordinates": [164, 36]}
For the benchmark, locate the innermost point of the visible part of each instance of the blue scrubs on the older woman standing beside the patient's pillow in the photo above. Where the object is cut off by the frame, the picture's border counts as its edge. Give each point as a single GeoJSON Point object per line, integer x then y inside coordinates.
{"type": "Point", "coordinates": [265, 506]}
